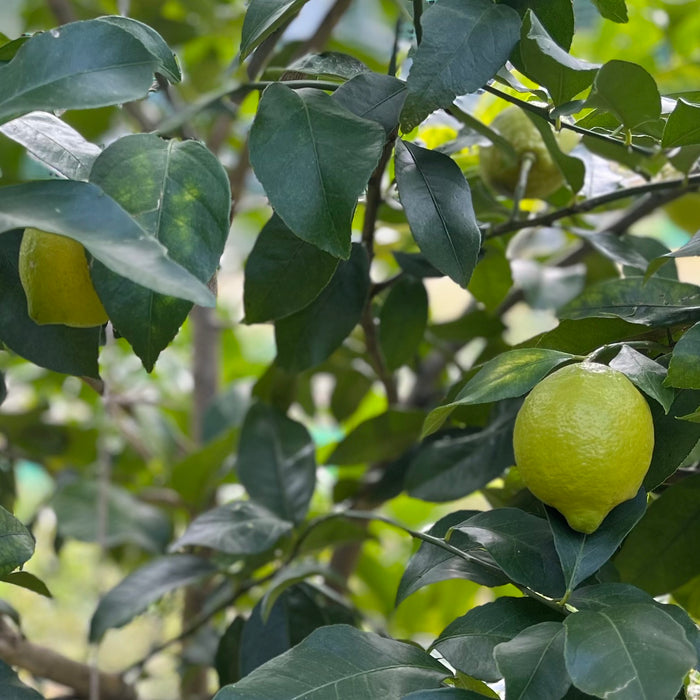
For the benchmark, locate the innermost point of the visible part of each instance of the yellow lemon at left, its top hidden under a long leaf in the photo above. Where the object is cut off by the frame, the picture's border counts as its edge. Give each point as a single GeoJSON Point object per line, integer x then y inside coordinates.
{"type": "Point", "coordinates": [55, 276]}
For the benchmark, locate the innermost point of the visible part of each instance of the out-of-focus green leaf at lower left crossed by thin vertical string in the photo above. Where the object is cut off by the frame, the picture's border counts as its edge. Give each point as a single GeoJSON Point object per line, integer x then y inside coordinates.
{"type": "Point", "coordinates": [129, 520]}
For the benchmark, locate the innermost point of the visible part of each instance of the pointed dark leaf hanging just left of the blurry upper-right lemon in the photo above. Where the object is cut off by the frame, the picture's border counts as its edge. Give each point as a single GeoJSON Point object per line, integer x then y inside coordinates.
{"type": "Point", "coordinates": [438, 205]}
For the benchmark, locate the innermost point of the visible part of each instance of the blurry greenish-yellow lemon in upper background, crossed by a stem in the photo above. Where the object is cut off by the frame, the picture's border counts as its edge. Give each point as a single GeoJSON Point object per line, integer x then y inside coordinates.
{"type": "Point", "coordinates": [502, 175]}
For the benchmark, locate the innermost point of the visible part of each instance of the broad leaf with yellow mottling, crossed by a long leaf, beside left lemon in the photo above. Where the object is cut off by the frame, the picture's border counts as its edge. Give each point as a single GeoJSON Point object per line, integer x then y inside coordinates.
{"type": "Point", "coordinates": [179, 193]}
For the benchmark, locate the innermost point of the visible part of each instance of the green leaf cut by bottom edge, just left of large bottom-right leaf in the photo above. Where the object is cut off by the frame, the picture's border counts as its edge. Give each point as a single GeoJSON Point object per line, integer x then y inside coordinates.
{"type": "Point", "coordinates": [532, 663]}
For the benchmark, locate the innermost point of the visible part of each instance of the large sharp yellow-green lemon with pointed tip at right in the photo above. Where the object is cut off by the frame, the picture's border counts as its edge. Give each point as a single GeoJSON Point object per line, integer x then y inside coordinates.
{"type": "Point", "coordinates": [583, 441]}
